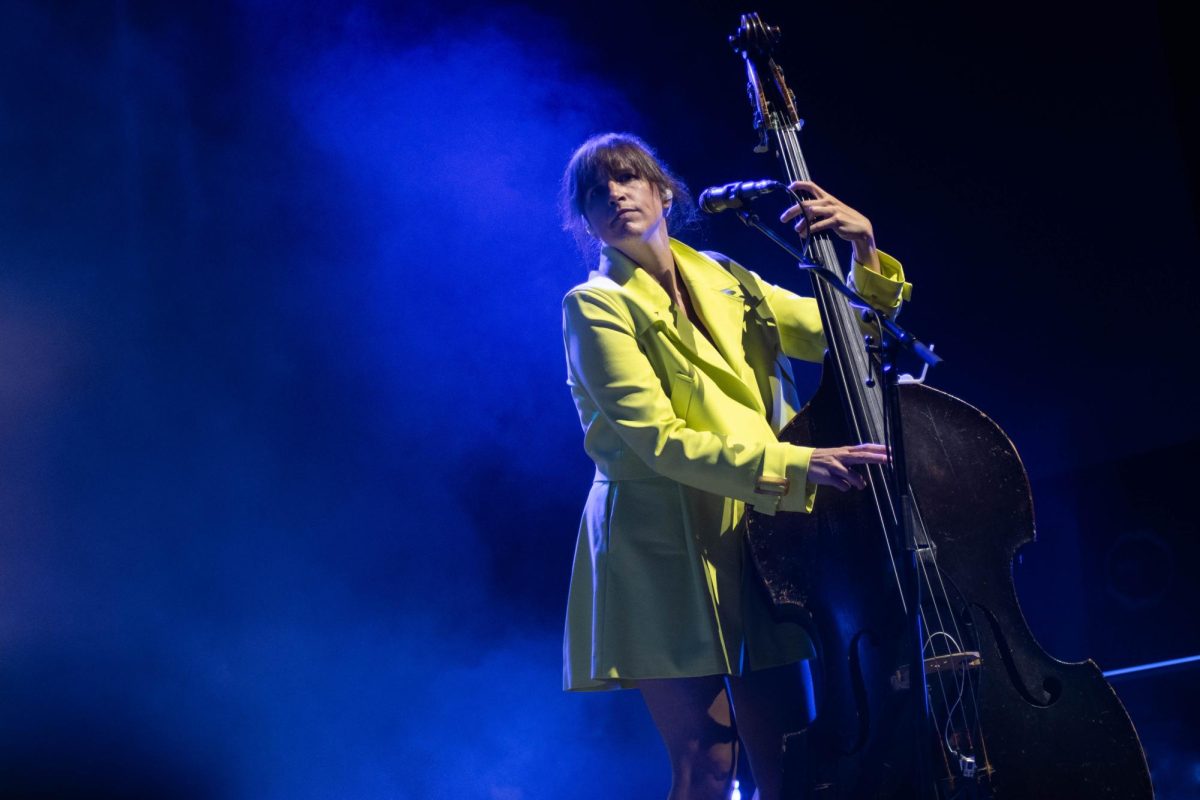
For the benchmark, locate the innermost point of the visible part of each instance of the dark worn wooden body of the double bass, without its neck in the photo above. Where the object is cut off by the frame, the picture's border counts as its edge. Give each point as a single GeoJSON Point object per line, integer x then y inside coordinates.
{"type": "Point", "coordinates": [1012, 721]}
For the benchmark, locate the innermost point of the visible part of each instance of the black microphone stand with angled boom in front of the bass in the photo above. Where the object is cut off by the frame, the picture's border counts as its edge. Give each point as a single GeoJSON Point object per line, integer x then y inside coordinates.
{"type": "Point", "coordinates": [904, 534]}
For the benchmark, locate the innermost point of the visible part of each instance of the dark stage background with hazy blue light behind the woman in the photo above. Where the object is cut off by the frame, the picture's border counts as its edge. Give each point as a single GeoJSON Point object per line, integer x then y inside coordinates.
{"type": "Point", "coordinates": [290, 478]}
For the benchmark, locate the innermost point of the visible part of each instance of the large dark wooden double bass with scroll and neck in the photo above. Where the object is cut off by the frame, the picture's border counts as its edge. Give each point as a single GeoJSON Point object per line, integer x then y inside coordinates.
{"type": "Point", "coordinates": [929, 683]}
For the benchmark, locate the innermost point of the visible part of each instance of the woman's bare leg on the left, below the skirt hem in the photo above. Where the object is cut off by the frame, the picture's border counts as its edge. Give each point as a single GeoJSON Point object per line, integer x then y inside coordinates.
{"type": "Point", "coordinates": [693, 717]}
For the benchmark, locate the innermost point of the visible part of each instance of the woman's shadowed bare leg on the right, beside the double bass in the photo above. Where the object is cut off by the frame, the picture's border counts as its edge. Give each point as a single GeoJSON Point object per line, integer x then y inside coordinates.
{"type": "Point", "coordinates": [769, 705]}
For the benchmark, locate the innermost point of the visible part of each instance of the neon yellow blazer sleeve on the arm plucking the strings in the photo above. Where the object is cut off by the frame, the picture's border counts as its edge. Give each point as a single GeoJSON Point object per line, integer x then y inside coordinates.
{"type": "Point", "coordinates": [604, 357]}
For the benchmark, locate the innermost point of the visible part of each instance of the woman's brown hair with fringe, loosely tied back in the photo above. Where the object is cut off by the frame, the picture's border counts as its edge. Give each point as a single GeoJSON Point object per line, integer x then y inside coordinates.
{"type": "Point", "coordinates": [611, 154]}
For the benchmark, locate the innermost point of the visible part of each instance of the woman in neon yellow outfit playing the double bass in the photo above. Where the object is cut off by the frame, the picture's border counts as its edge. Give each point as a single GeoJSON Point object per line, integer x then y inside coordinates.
{"type": "Point", "coordinates": [679, 369]}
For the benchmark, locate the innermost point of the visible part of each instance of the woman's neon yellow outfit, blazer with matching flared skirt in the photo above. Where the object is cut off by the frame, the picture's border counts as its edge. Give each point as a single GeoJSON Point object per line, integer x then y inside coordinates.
{"type": "Point", "coordinates": [682, 432]}
